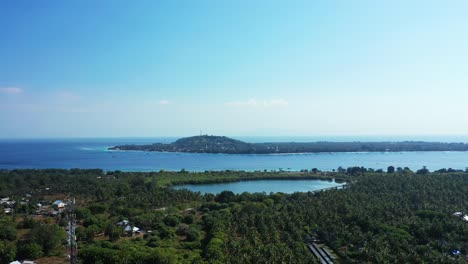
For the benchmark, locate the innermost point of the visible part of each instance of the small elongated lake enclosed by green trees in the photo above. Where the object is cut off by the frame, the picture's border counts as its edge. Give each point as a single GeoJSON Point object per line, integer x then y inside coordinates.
{"type": "Point", "coordinates": [267, 186]}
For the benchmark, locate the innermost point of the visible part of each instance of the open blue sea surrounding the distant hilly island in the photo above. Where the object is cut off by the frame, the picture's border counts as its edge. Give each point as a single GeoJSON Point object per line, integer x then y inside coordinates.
{"type": "Point", "coordinates": [93, 153]}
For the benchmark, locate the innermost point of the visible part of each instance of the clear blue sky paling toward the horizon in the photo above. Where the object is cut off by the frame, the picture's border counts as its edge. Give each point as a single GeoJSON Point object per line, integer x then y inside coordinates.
{"type": "Point", "coordinates": [237, 68]}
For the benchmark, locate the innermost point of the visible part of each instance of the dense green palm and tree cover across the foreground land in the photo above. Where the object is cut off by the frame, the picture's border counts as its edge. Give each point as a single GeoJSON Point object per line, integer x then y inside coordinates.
{"type": "Point", "coordinates": [397, 216]}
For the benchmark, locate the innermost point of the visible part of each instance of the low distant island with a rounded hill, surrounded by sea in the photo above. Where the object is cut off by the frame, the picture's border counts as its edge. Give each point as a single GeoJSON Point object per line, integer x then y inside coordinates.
{"type": "Point", "coordinates": [221, 144]}
